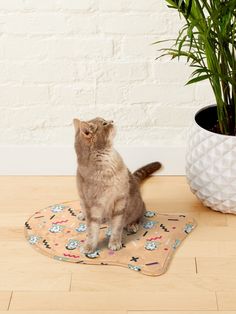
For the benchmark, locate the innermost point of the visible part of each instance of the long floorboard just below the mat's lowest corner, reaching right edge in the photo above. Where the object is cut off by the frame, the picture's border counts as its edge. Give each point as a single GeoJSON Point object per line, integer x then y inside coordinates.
{"type": "Point", "coordinates": [168, 283]}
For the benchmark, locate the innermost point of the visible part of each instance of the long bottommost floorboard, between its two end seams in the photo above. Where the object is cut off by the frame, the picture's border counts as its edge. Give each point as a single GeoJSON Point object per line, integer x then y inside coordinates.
{"type": "Point", "coordinates": [111, 301]}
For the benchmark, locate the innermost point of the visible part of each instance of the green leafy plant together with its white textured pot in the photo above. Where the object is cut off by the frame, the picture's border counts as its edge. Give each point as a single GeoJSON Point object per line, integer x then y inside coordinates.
{"type": "Point", "coordinates": [208, 42]}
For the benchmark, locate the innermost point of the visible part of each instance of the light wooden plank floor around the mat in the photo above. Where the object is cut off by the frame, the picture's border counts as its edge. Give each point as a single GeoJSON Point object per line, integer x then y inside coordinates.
{"type": "Point", "coordinates": [201, 278]}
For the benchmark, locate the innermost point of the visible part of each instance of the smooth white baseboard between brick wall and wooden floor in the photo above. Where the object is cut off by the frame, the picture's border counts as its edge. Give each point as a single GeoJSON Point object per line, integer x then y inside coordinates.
{"type": "Point", "coordinates": [36, 160]}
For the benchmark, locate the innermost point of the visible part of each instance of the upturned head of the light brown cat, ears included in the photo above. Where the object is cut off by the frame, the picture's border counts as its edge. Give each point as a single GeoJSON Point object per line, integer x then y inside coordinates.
{"type": "Point", "coordinates": [97, 133]}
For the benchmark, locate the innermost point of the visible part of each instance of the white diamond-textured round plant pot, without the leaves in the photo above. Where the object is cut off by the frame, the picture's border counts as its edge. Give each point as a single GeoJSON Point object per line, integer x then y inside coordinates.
{"type": "Point", "coordinates": [211, 163]}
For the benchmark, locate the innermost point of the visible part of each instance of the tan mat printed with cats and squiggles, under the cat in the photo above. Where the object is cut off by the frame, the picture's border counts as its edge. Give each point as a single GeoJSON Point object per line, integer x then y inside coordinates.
{"type": "Point", "coordinates": [58, 232]}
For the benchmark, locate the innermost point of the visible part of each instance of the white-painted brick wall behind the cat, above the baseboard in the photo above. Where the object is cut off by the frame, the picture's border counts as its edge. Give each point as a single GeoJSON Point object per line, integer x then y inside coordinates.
{"type": "Point", "coordinates": [65, 58]}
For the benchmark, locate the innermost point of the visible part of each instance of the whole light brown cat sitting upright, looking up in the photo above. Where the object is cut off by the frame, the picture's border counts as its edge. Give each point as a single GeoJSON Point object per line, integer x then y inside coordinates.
{"type": "Point", "coordinates": [108, 191]}
